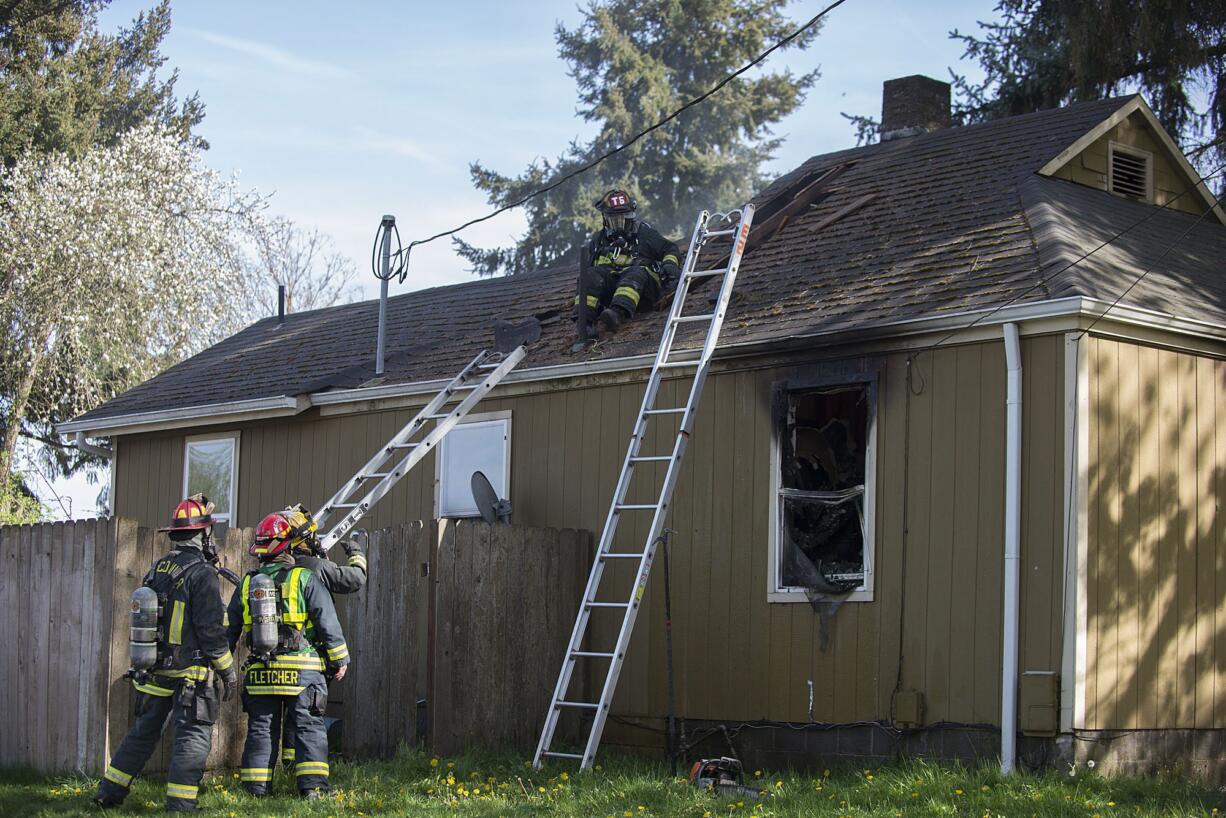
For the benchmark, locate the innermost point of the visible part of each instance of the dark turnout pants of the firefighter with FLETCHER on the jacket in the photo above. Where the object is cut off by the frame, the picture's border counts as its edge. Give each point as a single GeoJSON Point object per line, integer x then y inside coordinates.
{"type": "Point", "coordinates": [305, 717]}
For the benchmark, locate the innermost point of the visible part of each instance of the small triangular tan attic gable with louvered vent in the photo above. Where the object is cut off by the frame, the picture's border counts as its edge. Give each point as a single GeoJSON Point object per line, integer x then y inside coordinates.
{"type": "Point", "coordinates": [1132, 156]}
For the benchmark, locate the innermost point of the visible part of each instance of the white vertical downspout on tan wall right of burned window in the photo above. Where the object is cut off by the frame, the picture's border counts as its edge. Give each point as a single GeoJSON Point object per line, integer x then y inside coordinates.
{"type": "Point", "coordinates": [1012, 551]}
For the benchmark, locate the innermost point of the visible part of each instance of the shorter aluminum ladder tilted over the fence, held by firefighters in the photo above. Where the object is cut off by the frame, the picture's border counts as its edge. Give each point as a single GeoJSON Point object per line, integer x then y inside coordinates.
{"type": "Point", "coordinates": [378, 478]}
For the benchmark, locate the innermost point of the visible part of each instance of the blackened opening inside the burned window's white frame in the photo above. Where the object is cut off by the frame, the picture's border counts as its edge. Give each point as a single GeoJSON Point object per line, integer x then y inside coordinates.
{"type": "Point", "coordinates": [823, 461]}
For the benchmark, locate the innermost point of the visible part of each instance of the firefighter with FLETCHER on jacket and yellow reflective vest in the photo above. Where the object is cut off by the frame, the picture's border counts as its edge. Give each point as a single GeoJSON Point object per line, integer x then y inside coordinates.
{"type": "Point", "coordinates": [295, 640]}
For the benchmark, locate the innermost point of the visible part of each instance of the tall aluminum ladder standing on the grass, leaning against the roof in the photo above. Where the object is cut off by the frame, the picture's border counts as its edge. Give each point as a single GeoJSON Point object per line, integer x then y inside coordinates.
{"type": "Point", "coordinates": [605, 552]}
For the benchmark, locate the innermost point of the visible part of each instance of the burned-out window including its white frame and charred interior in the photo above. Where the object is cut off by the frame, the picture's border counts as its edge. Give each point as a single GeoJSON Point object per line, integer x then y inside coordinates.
{"type": "Point", "coordinates": [823, 469]}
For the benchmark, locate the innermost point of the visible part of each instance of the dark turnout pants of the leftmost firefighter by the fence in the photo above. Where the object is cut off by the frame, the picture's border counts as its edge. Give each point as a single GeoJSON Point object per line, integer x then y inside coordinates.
{"type": "Point", "coordinates": [194, 709]}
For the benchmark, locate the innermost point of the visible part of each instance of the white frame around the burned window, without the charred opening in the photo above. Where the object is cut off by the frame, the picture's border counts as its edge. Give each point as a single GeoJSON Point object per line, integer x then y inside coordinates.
{"type": "Point", "coordinates": [840, 377]}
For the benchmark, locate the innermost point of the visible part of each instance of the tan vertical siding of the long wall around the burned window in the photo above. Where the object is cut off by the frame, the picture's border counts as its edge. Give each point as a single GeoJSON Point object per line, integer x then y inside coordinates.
{"type": "Point", "coordinates": [737, 657]}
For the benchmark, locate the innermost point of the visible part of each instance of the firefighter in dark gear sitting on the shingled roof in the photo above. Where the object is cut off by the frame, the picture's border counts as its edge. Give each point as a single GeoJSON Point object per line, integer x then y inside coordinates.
{"type": "Point", "coordinates": [632, 264]}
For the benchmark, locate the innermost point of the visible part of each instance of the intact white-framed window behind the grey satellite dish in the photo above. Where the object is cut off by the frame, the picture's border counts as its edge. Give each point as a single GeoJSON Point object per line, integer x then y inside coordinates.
{"type": "Point", "coordinates": [481, 443]}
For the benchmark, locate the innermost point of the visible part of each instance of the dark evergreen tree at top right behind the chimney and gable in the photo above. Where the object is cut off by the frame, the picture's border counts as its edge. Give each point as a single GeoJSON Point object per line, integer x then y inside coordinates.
{"type": "Point", "coordinates": [1049, 53]}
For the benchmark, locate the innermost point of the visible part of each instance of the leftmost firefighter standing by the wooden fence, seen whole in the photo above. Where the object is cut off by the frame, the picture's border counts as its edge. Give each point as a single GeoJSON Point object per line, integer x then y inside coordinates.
{"type": "Point", "coordinates": [178, 641]}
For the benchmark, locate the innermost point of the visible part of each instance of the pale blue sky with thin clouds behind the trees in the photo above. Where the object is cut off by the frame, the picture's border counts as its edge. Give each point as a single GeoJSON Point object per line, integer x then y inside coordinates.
{"type": "Point", "coordinates": [345, 112]}
